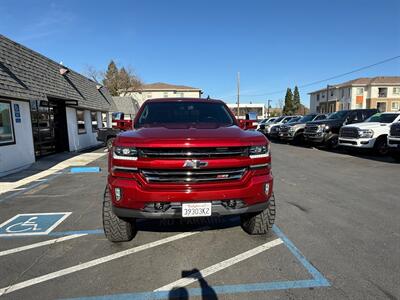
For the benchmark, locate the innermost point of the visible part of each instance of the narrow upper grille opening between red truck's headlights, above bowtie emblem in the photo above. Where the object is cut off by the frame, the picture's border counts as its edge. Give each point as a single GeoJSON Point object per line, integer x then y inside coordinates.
{"type": "Point", "coordinates": [217, 152]}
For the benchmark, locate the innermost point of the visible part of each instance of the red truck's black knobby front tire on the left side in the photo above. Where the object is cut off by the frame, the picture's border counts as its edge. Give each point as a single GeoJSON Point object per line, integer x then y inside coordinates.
{"type": "Point", "coordinates": [115, 229]}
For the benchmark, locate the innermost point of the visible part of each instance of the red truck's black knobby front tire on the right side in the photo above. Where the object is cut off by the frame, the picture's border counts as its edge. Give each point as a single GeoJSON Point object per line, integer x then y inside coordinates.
{"type": "Point", "coordinates": [262, 222]}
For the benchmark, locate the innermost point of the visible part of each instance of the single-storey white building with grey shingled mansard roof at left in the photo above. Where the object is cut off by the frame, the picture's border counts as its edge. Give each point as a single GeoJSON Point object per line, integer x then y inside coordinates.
{"type": "Point", "coordinates": [45, 107]}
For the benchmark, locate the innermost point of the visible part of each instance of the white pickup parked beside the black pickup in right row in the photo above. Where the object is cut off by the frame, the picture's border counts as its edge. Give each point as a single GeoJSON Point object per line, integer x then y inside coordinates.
{"type": "Point", "coordinates": [370, 134]}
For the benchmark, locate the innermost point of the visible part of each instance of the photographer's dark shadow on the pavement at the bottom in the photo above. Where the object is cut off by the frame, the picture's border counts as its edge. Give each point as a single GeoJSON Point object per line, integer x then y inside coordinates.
{"type": "Point", "coordinates": [207, 292]}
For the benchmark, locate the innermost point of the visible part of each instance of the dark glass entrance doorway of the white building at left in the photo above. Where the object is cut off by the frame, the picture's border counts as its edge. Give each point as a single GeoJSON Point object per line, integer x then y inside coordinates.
{"type": "Point", "coordinates": [49, 127]}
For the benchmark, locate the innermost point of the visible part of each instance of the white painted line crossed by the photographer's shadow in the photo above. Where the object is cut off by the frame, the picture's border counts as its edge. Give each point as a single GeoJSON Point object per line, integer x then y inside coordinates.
{"type": "Point", "coordinates": [219, 266]}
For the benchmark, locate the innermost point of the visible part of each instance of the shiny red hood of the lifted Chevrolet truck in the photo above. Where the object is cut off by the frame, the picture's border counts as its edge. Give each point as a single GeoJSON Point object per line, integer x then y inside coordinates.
{"type": "Point", "coordinates": [187, 136]}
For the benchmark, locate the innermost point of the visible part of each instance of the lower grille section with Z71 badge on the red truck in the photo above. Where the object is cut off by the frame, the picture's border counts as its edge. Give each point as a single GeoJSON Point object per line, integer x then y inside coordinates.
{"type": "Point", "coordinates": [186, 176]}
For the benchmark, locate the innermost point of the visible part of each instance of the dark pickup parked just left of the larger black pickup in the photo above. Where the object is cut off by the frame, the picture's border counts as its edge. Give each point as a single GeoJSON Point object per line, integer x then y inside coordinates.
{"type": "Point", "coordinates": [293, 131]}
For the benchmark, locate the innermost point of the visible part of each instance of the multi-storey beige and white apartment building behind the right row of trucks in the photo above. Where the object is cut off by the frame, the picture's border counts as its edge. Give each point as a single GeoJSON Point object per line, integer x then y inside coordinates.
{"type": "Point", "coordinates": [382, 93]}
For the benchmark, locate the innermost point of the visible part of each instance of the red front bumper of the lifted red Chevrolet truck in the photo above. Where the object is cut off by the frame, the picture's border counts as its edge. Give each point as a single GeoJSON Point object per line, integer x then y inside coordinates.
{"type": "Point", "coordinates": [137, 196]}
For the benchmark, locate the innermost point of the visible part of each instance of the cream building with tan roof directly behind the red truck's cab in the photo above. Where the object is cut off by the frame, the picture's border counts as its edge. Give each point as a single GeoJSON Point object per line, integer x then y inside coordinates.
{"type": "Point", "coordinates": [162, 90]}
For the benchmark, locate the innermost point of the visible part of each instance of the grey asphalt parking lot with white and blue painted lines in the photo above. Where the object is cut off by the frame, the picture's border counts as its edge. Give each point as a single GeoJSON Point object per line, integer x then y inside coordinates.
{"type": "Point", "coordinates": [337, 236]}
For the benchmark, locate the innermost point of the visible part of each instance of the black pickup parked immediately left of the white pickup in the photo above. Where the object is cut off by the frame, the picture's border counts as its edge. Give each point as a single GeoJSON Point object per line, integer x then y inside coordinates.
{"type": "Point", "coordinates": [326, 132]}
